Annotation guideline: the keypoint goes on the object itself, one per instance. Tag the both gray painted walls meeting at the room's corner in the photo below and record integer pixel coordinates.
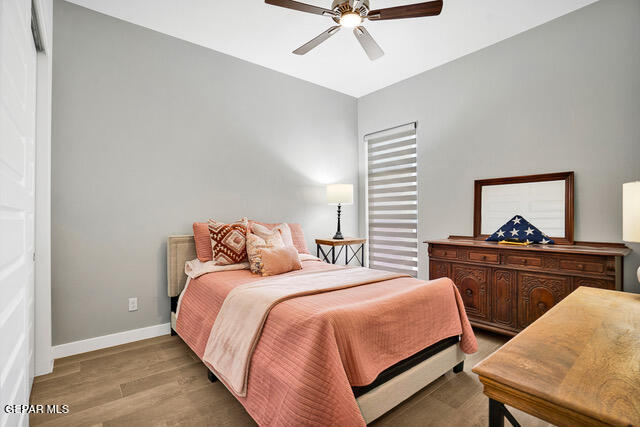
(151, 133)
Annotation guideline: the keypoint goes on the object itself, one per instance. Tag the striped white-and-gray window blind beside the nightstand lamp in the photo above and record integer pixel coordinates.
(393, 199)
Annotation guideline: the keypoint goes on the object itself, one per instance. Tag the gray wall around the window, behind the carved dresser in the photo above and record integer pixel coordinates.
(563, 96)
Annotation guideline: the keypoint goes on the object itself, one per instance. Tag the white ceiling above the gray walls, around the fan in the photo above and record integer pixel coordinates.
(266, 35)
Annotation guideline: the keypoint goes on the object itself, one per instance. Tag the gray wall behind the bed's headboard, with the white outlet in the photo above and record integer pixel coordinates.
(151, 133)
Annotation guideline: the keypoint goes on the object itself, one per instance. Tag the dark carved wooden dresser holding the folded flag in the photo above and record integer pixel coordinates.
(506, 288)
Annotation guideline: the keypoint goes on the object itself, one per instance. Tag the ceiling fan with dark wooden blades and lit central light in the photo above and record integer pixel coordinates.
(351, 14)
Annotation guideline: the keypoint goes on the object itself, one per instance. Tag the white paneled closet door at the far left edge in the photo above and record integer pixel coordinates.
(17, 155)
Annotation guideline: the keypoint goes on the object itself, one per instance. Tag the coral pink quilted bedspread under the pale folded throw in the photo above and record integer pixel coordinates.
(314, 348)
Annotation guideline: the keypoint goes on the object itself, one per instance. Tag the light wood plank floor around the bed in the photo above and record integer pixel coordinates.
(161, 382)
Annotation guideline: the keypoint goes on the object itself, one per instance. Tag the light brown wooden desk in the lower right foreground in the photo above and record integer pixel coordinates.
(579, 364)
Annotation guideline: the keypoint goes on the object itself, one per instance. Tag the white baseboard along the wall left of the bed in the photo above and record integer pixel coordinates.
(97, 343)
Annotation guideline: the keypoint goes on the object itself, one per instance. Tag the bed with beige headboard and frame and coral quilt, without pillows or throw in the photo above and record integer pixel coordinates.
(322, 376)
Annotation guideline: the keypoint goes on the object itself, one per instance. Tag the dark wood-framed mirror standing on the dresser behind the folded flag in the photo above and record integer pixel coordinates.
(546, 201)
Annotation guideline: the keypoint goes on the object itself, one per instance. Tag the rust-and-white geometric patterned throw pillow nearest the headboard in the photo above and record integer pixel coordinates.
(228, 241)
